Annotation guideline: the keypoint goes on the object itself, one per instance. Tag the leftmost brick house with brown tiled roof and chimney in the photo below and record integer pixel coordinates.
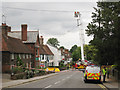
(12, 48)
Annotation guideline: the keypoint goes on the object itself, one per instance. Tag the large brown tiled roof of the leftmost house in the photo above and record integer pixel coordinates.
(14, 45)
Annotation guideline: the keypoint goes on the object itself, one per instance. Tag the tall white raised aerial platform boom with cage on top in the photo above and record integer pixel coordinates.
(79, 23)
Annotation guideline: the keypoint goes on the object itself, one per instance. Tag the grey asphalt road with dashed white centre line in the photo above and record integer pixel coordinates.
(66, 79)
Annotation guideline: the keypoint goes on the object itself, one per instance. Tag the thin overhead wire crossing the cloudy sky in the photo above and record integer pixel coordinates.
(44, 10)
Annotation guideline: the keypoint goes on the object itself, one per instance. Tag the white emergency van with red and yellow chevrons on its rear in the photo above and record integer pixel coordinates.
(92, 73)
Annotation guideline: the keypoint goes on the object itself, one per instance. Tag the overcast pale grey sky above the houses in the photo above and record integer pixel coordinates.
(52, 19)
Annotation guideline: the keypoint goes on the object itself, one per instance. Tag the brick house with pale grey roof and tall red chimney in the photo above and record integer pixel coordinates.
(31, 40)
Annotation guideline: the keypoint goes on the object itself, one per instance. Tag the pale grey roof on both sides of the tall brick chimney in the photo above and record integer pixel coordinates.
(31, 35)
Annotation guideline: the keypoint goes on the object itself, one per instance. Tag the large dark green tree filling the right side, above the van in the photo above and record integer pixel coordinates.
(105, 27)
